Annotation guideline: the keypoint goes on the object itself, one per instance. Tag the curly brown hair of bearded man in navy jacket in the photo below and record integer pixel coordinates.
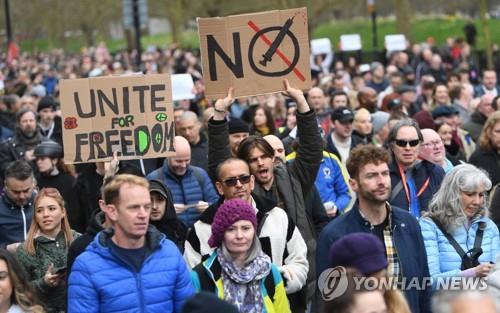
(365, 154)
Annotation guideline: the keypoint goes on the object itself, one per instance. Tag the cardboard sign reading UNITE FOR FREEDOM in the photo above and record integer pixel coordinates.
(129, 114)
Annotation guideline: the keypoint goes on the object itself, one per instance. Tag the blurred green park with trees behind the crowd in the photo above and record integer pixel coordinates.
(43, 25)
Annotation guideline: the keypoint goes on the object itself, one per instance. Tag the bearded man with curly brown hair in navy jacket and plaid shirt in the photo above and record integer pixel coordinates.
(397, 229)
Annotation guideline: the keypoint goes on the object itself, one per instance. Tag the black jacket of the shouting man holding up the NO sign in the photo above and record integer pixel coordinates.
(293, 181)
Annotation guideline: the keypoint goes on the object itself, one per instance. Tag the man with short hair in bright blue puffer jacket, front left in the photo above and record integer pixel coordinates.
(131, 267)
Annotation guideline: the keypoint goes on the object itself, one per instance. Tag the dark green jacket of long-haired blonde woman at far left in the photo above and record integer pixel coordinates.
(47, 251)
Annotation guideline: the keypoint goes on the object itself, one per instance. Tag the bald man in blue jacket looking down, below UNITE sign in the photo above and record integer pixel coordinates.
(191, 187)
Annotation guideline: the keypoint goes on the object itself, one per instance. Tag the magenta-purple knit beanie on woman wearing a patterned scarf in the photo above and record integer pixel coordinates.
(227, 214)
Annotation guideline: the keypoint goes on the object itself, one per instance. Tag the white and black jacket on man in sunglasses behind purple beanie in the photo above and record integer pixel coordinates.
(279, 237)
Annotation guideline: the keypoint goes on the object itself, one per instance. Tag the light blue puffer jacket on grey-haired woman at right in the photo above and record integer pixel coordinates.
(442, 257)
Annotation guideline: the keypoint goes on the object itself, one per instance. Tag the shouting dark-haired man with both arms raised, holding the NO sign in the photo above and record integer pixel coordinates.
(286, 184)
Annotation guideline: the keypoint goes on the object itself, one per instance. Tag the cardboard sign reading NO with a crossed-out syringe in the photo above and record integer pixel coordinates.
(253, 53)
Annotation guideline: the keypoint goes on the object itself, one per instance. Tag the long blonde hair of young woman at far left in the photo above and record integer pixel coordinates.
(53, 193)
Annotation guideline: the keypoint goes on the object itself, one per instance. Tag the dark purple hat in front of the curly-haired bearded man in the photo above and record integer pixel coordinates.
(363, 251)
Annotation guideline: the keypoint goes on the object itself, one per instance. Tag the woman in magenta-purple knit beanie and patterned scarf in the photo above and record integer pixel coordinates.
(238, 271)
